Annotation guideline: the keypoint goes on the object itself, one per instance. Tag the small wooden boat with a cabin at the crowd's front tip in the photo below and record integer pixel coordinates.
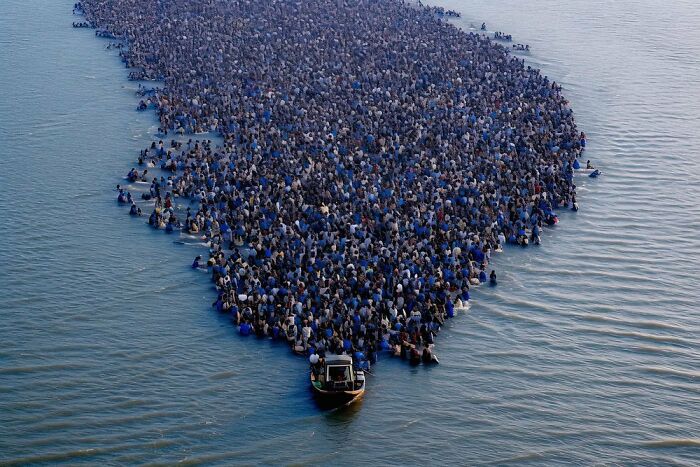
(335, 382)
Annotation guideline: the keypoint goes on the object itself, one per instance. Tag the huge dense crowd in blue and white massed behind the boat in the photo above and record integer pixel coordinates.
(373, 158)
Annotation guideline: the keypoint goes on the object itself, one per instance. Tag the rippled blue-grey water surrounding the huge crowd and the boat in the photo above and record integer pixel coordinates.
(588, 351)
